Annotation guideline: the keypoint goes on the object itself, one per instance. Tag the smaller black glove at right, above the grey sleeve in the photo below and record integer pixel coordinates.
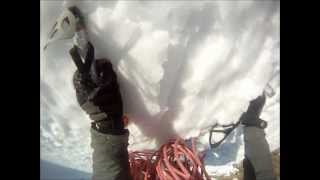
(251, 117)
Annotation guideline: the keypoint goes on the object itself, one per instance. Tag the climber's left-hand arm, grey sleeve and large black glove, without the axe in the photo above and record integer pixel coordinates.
(98, 94)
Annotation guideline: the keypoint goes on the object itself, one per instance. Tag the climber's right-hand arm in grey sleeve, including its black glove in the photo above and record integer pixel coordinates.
(257, 163)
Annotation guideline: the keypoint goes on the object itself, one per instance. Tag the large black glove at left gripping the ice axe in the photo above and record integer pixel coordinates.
(98, 93)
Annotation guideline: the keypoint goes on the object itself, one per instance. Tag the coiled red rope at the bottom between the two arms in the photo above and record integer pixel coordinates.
(173, 161)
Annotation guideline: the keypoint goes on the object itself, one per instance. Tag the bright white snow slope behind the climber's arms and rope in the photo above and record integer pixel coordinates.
(182, 66)
